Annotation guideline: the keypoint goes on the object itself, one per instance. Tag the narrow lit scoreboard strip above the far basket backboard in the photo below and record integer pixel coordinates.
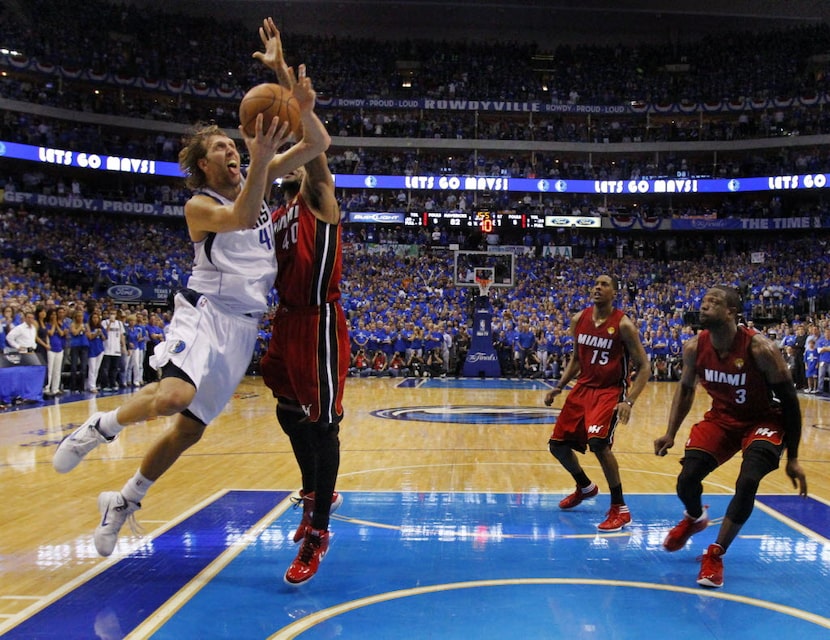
(490, 221)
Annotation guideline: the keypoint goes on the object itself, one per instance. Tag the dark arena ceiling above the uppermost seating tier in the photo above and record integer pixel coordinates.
(548, 23)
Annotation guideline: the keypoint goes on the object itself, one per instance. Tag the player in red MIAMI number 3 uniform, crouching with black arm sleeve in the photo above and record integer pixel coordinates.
(754, 409)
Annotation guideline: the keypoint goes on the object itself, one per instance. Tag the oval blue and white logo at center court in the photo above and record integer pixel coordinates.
(470, 414)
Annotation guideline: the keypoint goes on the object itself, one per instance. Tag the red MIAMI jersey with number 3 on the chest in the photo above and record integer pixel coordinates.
(737, 387)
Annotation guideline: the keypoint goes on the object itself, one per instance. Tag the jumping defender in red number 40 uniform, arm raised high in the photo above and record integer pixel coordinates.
(308, 354)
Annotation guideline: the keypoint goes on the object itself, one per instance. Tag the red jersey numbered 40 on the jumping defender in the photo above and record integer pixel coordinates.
(309, 273)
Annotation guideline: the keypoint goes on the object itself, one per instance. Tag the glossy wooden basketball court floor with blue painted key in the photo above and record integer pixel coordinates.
(449, 527)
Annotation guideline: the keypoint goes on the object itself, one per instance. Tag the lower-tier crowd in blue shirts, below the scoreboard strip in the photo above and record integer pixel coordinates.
(404, 299)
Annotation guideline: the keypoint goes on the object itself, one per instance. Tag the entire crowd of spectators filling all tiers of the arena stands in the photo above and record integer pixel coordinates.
(403, 301)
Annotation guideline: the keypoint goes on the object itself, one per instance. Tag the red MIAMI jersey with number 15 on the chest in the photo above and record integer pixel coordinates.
(603, 357)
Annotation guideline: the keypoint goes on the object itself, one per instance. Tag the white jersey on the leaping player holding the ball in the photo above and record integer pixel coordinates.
(236, 268)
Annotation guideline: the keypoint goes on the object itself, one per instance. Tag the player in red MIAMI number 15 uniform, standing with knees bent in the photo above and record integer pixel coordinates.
(605, 343)
